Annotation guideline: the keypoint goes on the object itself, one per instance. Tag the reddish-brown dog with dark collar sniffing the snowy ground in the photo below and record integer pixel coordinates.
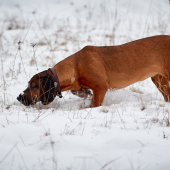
(103, 68)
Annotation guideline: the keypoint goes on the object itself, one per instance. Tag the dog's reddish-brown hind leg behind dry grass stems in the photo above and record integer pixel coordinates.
(162, 84)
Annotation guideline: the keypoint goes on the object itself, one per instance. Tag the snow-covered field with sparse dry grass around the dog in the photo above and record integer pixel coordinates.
(130, 131)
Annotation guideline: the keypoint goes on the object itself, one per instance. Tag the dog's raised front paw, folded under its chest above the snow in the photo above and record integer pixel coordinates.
(83, 92)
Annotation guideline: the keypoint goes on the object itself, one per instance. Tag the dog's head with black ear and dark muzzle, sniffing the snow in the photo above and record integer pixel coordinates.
(42, 87)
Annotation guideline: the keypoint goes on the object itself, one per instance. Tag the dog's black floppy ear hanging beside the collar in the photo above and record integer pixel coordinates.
(48, 89)
